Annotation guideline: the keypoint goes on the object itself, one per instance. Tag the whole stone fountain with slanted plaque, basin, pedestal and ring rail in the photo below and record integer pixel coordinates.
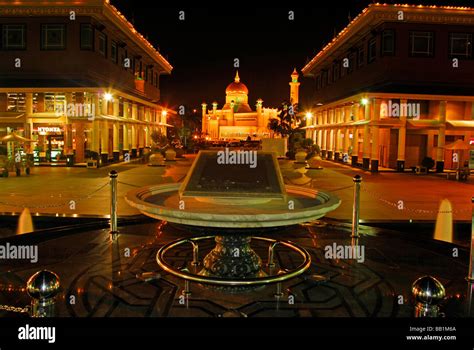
(236, 201)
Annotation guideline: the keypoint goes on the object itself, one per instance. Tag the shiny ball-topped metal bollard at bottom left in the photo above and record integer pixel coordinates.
(43, 287)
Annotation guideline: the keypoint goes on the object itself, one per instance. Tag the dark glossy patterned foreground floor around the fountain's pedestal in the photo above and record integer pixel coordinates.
(103, 281)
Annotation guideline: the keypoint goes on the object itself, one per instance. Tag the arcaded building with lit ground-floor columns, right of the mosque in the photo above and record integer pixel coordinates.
(396, 86)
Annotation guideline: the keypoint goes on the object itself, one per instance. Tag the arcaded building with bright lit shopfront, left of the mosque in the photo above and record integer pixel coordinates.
(79, 80)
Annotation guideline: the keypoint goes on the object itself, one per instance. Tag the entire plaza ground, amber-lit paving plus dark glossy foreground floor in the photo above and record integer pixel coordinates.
(103, 281)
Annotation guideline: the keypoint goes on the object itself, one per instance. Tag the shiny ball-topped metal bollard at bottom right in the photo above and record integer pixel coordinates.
(428, 293)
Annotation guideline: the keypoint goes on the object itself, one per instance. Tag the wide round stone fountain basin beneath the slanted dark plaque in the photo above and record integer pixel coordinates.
(163, 202)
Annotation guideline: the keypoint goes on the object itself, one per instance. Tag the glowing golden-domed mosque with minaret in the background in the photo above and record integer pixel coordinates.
(236, 120)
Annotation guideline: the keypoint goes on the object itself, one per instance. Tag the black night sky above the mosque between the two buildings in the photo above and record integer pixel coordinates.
(203, 47)
